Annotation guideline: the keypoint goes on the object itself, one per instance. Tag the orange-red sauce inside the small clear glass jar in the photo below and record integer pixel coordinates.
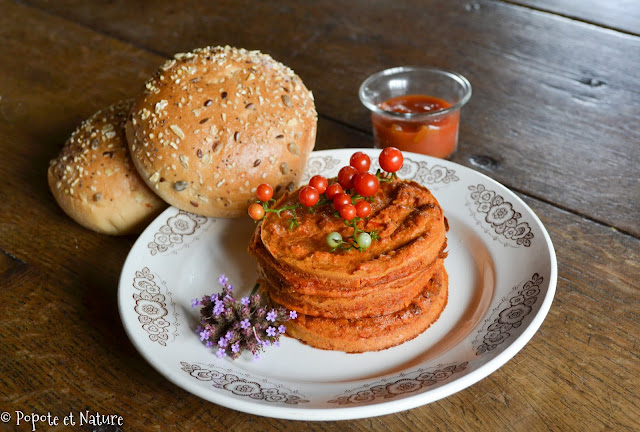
(435, 136)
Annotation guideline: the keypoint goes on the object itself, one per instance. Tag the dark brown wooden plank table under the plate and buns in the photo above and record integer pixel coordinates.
(555, 116)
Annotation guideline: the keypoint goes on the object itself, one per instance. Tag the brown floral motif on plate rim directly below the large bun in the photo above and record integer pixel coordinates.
(176, 230)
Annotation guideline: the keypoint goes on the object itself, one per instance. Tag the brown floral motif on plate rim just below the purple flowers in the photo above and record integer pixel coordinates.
(249, 387)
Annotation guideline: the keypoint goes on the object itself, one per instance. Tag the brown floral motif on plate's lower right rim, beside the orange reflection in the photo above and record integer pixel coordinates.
(512, 312)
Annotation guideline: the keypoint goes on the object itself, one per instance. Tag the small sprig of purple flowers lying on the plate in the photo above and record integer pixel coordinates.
(229, 326)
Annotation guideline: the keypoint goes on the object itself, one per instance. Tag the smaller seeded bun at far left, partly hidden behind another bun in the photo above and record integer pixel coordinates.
(94, 180)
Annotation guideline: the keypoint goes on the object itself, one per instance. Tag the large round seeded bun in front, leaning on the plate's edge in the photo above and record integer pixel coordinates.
(213, 124)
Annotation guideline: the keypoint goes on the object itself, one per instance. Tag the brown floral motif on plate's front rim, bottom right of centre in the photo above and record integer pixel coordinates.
(408, 383)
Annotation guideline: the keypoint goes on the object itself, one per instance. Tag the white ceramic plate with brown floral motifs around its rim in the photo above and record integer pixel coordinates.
(502, 279)
